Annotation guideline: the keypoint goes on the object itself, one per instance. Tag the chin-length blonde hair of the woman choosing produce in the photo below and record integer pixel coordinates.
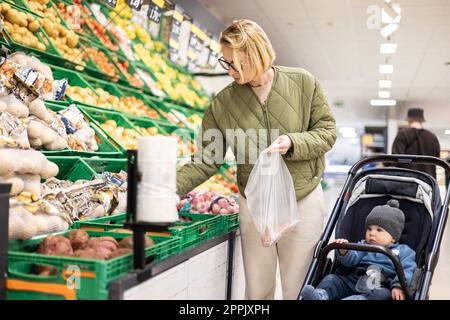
(248, 36)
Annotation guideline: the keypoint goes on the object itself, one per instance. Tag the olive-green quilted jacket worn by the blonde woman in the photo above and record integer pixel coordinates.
(296, 106)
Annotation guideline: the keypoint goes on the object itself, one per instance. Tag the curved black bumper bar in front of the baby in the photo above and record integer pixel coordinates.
(363, 247)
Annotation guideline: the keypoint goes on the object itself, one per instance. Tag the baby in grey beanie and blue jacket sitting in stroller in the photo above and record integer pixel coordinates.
(373, 275)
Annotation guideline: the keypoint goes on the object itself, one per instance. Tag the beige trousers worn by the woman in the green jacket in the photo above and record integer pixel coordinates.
(293, 251)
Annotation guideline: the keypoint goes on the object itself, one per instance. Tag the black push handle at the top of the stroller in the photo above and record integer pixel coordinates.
(401, 159)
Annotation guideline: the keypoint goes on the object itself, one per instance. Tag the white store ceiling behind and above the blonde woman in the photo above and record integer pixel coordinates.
(331, 40)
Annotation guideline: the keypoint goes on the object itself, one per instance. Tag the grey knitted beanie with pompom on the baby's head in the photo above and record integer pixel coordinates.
(389, 217)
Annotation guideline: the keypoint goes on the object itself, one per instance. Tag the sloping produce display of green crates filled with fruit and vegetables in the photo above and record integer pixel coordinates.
(80, 82)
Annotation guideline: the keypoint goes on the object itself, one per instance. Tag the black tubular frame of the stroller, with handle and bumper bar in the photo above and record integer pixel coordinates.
(320, 262)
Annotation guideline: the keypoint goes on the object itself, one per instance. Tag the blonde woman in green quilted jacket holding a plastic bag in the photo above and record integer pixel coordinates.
(290, 101)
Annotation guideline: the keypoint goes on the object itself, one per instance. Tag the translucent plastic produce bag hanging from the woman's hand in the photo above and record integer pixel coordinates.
(271, 197)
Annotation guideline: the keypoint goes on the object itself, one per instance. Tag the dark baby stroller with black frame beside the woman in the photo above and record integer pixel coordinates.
(419, 198)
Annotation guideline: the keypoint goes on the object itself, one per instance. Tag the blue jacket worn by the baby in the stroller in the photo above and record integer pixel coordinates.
(406, 255)
